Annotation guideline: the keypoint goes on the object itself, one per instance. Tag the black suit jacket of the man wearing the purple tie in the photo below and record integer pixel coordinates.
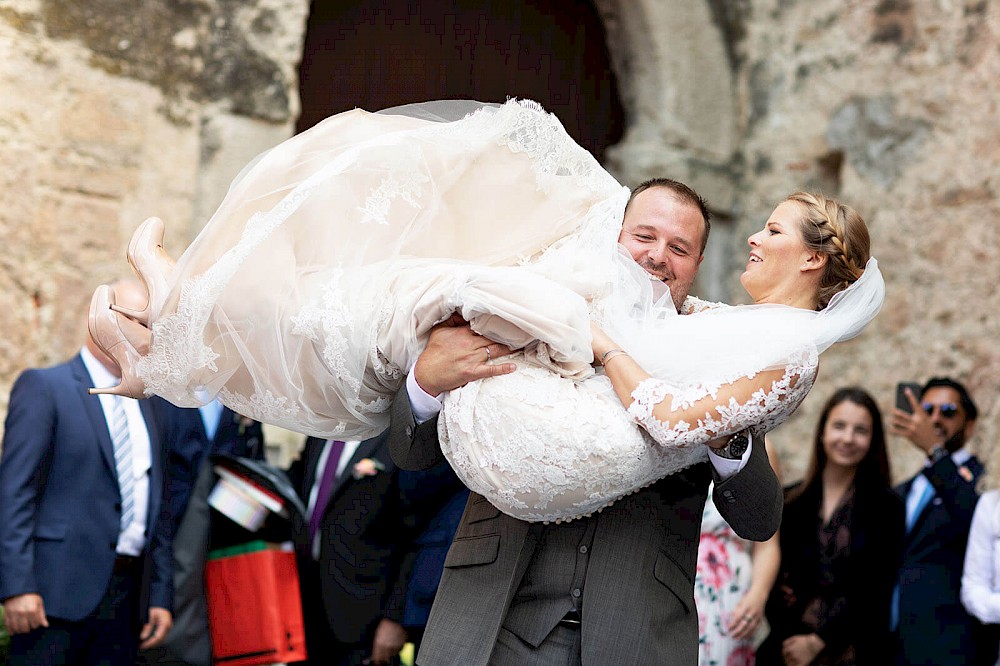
(363, 535)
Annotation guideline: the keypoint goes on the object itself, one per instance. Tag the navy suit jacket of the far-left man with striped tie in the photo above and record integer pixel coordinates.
(60, 508)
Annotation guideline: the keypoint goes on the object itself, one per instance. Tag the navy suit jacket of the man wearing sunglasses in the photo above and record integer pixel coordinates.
(934, 627)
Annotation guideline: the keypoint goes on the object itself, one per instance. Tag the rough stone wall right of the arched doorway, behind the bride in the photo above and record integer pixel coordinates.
(893, 107)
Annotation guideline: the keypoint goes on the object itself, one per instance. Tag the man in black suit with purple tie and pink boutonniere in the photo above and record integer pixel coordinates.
(351, 549)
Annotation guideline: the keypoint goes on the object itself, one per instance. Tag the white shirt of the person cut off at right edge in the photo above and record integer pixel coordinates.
(981, 574)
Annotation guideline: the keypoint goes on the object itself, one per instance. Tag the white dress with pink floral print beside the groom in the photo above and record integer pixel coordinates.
(721, 580)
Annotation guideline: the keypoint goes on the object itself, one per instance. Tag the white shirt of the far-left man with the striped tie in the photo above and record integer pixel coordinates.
(132, 539)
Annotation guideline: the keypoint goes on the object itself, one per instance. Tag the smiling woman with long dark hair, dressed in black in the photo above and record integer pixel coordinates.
(841, 536)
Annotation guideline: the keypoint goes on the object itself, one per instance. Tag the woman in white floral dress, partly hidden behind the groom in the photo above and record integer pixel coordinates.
(731, 585)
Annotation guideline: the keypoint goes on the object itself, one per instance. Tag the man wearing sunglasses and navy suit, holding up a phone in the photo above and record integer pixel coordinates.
(927, 615)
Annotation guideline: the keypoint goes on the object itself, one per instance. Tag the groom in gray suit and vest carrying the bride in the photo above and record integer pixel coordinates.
(613, 588)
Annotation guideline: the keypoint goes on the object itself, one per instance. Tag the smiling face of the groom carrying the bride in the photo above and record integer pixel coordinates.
(664, 236)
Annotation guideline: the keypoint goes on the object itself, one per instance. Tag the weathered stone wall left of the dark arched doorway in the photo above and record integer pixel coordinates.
(112, 112)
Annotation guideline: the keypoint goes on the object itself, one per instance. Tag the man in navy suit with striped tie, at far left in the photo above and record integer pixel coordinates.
(82, 552)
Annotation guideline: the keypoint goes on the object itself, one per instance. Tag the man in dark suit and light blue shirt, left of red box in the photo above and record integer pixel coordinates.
(210, 429)
